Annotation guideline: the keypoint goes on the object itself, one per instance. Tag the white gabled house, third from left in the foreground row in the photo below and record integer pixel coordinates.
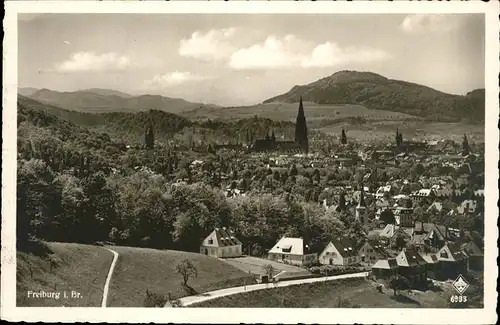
(339, 252)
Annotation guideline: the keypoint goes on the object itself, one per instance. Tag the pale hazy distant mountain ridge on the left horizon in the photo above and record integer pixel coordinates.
(96, 100)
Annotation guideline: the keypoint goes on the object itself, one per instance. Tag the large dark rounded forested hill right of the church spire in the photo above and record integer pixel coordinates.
(377, 92)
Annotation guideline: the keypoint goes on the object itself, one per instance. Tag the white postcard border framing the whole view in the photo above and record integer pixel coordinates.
(219, 315)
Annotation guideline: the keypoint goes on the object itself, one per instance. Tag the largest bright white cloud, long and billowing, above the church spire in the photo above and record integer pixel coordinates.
(292, 52)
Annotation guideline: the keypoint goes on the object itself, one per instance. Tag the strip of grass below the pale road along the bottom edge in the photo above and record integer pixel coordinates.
(327, 294)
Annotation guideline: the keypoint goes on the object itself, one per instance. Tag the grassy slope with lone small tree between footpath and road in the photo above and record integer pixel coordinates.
(141, 269)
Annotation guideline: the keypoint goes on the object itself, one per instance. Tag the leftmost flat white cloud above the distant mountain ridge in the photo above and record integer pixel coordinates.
(90, 61)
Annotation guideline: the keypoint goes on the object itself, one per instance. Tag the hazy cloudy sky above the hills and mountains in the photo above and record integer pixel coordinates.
(245, 59)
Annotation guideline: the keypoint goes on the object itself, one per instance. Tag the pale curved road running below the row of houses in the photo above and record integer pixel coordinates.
(187, 301)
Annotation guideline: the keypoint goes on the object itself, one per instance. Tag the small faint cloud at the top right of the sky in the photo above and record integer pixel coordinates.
(420, 23)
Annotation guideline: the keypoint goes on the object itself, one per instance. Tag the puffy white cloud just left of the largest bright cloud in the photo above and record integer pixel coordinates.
(213, 45)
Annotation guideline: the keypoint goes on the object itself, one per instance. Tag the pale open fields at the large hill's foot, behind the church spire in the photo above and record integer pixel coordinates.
(327, 118)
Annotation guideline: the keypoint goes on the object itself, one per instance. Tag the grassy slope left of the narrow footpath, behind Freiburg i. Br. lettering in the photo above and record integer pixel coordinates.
(81, 268)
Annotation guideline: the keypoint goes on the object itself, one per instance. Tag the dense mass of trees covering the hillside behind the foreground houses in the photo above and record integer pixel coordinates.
(75, 185)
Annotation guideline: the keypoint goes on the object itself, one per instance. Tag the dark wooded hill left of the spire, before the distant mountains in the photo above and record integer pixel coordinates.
(128, 126)
